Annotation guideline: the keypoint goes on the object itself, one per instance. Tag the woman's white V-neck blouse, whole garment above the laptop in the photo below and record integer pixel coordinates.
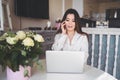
(78, 43)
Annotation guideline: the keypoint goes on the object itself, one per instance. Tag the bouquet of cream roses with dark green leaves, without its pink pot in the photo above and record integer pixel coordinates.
(19, 49)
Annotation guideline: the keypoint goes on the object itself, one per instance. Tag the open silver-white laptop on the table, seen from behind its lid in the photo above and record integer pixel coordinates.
(65, 61)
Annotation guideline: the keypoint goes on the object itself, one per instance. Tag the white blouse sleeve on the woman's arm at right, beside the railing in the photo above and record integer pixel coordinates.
(85, 47)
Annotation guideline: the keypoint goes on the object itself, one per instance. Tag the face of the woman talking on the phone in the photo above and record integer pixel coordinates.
(70, 22)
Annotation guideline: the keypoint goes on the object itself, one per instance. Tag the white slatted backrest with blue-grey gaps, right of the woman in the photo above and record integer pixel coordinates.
(104, 49)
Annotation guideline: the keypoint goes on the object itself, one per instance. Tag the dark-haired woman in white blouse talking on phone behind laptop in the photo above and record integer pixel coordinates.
(70, 36)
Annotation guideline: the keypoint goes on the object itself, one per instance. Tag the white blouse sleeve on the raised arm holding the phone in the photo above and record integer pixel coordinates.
(59, 42)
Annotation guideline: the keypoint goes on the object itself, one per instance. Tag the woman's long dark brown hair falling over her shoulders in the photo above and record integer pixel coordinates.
(77, 20)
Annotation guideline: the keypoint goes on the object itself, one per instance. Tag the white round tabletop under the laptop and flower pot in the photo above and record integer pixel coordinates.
(90, 73)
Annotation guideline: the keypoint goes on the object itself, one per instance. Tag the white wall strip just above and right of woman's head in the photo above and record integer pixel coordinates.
(78, 5)
